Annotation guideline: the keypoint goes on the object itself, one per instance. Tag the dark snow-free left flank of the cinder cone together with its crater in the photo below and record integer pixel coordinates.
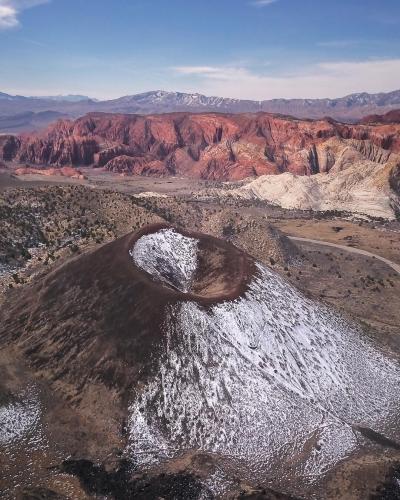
(99, 318)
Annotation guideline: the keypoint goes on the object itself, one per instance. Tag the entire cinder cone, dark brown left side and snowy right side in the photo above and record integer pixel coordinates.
(192, 346)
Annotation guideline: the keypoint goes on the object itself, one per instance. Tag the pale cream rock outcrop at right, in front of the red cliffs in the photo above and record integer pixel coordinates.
(362, 178)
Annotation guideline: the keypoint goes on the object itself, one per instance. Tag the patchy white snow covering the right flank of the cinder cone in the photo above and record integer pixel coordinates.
(273, 382)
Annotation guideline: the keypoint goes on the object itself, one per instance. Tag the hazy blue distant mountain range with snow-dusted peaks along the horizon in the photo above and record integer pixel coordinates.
(350, 108)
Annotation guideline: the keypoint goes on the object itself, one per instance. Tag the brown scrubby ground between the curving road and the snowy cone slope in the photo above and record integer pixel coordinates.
(362, 287)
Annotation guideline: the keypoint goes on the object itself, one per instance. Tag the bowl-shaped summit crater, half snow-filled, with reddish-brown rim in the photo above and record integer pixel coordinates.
(196, 266)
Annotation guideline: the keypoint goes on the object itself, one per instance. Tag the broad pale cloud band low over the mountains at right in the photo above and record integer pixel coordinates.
(325, 79)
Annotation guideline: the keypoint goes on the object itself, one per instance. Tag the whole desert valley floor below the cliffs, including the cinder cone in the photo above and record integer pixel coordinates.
(81, 258)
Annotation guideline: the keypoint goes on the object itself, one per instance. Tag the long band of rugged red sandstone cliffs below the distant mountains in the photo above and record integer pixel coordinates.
(208, 146)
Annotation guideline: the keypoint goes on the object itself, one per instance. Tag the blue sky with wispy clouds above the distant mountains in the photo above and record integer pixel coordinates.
(255, 49)
